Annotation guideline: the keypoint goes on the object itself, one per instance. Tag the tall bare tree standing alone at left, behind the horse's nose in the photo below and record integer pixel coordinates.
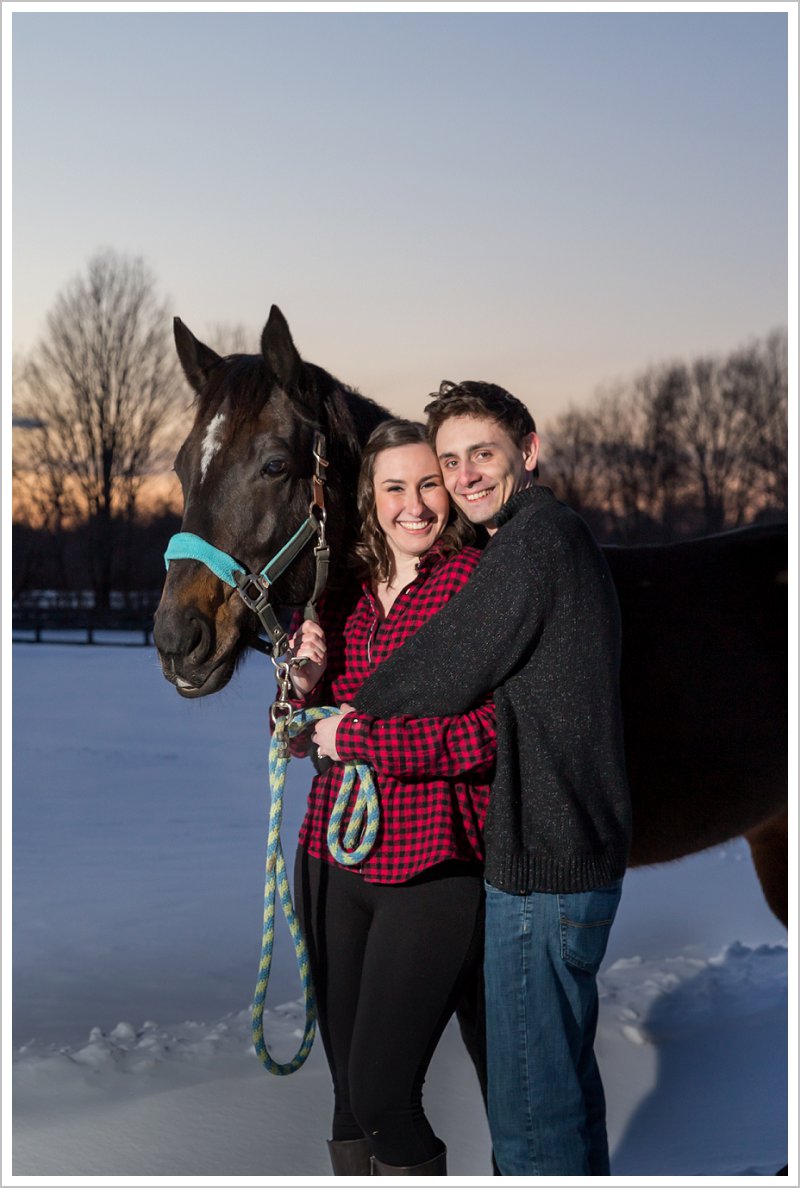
(99, 389)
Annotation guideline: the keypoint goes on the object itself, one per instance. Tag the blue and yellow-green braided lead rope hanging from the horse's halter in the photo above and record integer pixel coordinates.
(360, 838)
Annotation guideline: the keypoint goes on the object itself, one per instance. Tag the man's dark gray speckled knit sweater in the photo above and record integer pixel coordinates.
(538, 623)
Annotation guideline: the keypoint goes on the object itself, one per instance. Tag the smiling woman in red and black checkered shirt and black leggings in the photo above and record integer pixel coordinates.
(407, 918)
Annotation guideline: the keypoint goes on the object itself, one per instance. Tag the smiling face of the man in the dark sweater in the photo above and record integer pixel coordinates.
(483, 467)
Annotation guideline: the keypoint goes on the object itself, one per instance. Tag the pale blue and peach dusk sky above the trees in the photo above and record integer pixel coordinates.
(552, 201)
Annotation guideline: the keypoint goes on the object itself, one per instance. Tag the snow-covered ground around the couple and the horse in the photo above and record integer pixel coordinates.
(140, 829)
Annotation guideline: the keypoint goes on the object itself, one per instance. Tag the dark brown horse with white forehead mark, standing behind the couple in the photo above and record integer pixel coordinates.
(704, 622)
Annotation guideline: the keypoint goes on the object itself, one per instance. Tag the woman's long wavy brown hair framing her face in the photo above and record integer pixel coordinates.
(373, 549)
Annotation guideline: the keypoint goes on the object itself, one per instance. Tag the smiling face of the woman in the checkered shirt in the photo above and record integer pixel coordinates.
(412, 504)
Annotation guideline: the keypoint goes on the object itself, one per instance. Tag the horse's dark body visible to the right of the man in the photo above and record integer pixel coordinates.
(704, 690)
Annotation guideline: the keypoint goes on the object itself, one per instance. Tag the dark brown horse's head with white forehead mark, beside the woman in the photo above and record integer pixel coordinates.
(247, 473)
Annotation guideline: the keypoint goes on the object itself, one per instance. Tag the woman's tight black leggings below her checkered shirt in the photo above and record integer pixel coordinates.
(389, 964)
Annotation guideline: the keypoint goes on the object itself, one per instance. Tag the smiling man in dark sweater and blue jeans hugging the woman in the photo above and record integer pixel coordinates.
(538, 624)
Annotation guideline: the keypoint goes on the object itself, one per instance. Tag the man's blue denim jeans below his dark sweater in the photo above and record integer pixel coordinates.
(546, 1101)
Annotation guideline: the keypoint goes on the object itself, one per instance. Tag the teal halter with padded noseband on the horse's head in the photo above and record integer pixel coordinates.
(255, 587)
